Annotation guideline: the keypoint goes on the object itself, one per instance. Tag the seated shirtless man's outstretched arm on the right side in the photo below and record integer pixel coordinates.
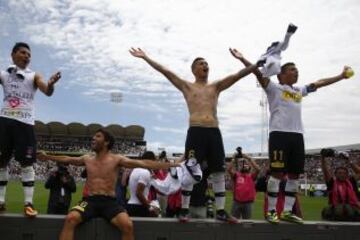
(149, 164)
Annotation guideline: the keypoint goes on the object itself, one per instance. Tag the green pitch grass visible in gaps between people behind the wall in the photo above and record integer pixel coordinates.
(311, 207)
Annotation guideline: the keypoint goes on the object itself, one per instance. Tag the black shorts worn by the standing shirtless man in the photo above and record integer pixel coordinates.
(208, 148)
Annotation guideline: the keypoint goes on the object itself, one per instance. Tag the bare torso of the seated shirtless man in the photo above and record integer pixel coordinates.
(102, 173)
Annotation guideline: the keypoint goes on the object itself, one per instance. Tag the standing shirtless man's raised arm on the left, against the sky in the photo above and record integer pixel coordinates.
(172, 77)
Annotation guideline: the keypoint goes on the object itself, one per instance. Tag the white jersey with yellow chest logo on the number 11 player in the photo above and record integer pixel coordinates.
(285, 107)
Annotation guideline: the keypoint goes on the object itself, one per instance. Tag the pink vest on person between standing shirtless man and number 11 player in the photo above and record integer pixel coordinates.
(244, 187)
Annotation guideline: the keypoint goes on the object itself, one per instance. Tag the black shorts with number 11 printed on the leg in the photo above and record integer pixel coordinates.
(286, 152)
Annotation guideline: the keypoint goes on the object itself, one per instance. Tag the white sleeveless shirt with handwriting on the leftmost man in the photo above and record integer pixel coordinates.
(19, 90)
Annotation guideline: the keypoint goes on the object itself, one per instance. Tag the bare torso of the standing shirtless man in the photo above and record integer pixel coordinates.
(202, 100)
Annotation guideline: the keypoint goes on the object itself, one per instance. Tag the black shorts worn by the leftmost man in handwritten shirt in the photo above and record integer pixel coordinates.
(17, 137)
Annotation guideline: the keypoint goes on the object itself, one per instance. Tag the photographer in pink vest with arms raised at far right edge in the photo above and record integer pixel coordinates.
(344, 204)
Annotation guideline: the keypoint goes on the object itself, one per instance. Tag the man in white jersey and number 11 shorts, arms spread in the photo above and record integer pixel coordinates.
(286, 143)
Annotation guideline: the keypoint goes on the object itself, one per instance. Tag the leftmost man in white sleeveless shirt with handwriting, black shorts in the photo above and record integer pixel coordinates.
(17, 121)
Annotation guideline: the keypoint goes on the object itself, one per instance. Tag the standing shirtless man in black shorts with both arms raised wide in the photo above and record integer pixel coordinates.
(204, 141)
